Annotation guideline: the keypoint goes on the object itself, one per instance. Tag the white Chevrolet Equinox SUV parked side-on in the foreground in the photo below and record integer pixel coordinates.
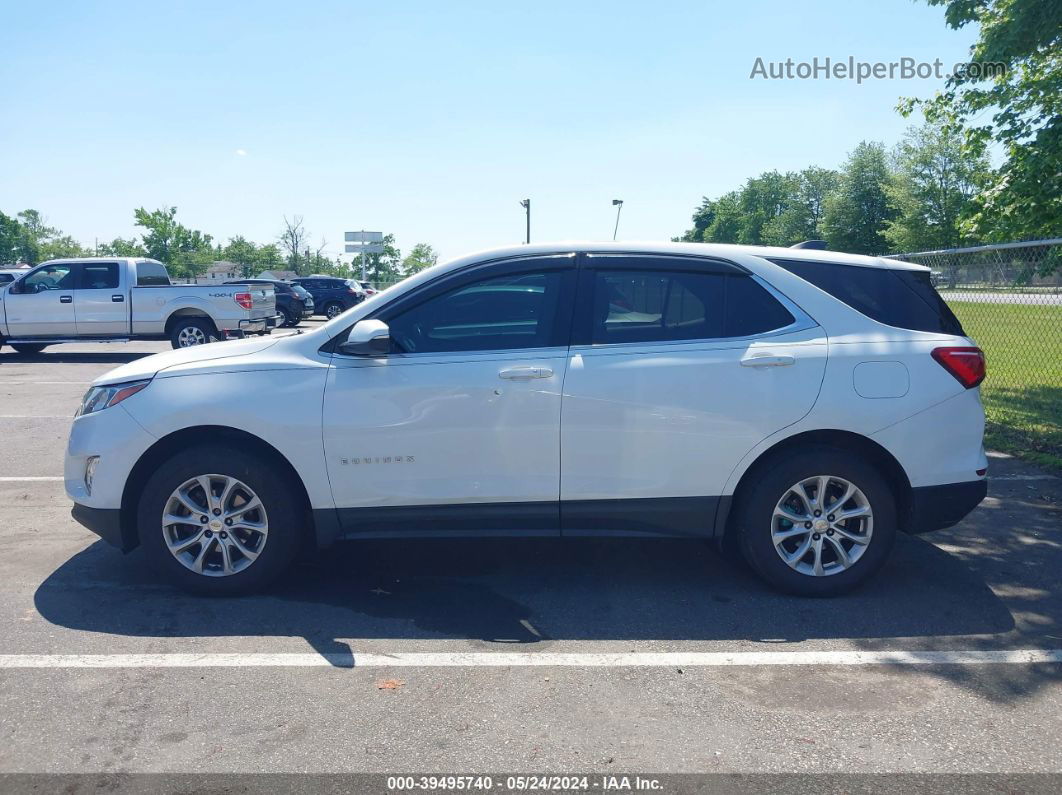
(802, 405)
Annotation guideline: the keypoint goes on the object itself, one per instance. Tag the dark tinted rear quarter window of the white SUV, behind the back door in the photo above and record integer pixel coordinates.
(896, 298)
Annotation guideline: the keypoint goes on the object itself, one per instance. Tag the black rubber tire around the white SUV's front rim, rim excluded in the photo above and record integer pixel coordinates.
(283, 514)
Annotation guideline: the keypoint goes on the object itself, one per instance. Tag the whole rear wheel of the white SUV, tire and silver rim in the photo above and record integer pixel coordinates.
(817, 523)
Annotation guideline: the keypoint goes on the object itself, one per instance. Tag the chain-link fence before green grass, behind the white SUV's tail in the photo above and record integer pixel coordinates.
(1009, 299)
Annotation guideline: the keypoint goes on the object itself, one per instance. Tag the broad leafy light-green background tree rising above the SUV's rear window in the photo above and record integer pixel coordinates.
(934, 181)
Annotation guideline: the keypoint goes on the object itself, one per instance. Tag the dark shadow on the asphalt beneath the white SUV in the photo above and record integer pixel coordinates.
(529, 592)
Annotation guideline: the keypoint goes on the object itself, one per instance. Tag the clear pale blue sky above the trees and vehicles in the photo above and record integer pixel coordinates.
(433, 120)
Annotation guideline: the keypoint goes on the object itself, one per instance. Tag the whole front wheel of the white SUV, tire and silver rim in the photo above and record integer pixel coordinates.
(219, 522)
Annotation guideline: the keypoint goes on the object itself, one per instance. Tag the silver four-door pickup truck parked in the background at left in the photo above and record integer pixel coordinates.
(113, 299)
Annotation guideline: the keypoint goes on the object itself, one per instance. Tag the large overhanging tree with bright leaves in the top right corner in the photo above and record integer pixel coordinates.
(1024, 197)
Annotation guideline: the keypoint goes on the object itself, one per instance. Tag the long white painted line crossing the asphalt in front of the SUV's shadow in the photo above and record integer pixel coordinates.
(527, 660)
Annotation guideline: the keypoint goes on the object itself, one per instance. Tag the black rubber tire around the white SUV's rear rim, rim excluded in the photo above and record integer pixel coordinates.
(772, 482)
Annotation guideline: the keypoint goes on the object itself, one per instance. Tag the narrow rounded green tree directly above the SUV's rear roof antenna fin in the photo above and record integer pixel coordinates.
(854, 217)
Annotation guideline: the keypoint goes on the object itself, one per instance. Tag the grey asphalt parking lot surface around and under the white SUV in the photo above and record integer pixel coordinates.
(598, 610)
